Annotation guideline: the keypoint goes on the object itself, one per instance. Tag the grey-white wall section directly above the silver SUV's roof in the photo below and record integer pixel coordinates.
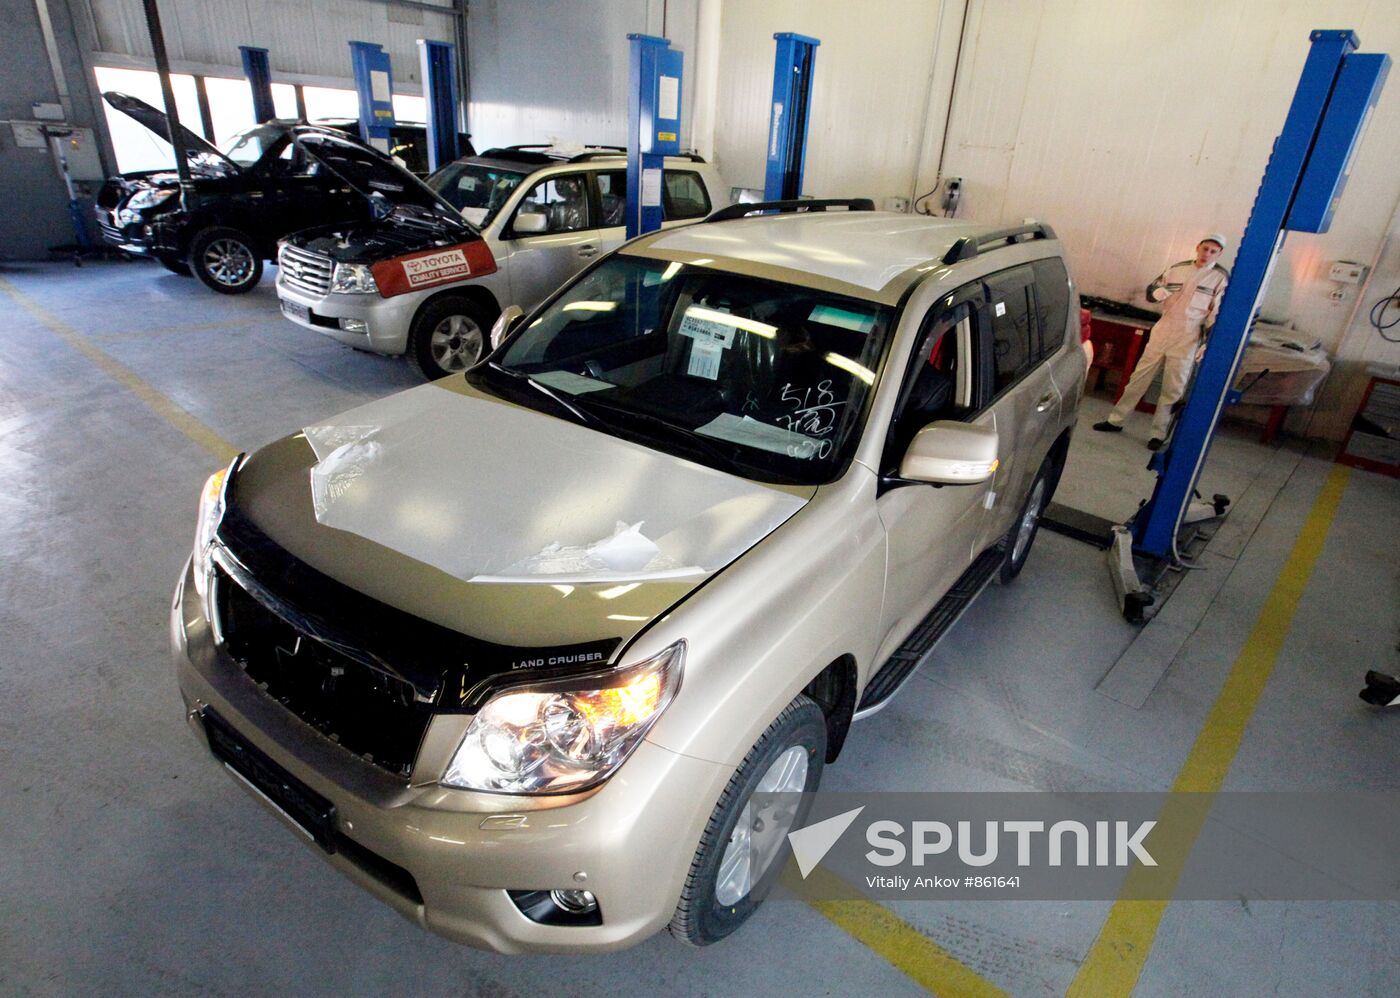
(556, 71)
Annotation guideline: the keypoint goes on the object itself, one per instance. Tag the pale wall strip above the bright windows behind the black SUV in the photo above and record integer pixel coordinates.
(307, 40)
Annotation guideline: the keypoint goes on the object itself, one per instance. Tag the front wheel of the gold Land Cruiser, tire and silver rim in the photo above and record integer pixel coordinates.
(722, 890)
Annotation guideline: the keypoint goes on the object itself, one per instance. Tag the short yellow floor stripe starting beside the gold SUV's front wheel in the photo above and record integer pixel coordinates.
(908, 950)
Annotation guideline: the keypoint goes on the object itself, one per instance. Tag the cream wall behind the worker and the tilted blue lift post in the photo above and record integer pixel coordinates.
(1137, 128)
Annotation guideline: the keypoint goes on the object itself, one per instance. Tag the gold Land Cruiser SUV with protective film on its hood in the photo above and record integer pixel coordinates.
(517, 649)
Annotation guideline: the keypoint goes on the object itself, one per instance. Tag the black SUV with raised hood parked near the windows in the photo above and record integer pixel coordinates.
(243, 198)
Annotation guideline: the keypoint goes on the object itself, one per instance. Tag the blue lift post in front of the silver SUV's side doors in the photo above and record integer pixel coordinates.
(653, 128)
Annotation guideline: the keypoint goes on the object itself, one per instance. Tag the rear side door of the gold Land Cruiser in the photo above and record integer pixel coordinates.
(1025, 398)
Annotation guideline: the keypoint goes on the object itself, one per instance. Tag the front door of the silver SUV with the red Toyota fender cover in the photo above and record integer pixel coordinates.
(541, 261)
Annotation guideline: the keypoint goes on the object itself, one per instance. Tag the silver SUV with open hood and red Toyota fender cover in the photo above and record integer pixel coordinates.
(506, 227)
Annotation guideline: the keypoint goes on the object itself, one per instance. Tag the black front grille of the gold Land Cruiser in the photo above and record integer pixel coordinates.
(367, 712)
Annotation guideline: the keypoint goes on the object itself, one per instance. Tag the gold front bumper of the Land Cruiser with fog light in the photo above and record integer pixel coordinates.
(633, 839)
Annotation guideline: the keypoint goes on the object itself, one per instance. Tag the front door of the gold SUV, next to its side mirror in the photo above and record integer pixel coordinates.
(934, 533)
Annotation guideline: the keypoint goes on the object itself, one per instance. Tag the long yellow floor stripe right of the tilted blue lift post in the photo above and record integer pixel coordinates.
(1116, 960)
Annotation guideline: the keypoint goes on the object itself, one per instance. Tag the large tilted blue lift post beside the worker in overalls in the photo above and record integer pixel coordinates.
(1298, 192)
